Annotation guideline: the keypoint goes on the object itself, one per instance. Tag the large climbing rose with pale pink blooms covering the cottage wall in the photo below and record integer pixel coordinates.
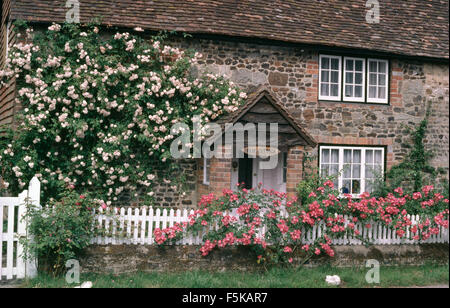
(97, 110)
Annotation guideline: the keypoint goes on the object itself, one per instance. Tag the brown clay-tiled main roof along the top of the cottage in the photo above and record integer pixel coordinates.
(407, 27)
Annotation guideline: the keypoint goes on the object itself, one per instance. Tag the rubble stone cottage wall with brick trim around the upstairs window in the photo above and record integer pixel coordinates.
(292, 74)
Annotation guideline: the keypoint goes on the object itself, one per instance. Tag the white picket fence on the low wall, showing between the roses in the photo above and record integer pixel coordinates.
(136, 226)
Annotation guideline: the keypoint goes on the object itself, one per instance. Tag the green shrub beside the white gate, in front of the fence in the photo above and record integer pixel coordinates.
(60, 230)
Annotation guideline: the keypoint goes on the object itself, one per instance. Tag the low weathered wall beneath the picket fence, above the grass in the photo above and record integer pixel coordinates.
(119, 259)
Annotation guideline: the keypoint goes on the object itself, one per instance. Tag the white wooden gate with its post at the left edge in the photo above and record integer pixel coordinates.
(12, 227)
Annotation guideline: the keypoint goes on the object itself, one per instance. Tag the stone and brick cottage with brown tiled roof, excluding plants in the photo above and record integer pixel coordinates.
(341, 89)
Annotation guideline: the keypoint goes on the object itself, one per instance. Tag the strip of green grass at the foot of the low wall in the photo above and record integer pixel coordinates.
(275, 278)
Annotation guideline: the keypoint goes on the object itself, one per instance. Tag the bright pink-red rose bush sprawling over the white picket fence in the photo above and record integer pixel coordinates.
(237, 218)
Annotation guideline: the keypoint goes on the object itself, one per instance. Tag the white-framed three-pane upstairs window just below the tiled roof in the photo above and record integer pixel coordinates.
(353, 79)
